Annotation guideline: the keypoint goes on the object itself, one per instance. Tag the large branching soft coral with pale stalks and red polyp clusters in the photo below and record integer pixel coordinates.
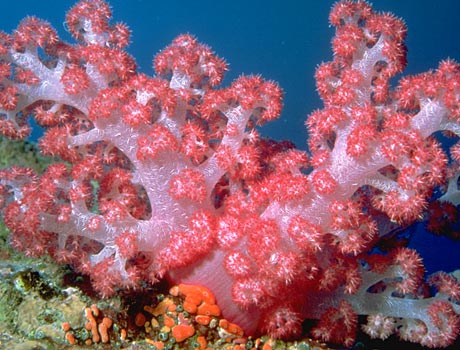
(167, 177)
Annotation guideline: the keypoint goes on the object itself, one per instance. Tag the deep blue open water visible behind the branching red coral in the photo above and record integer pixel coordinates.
(281, 40)
